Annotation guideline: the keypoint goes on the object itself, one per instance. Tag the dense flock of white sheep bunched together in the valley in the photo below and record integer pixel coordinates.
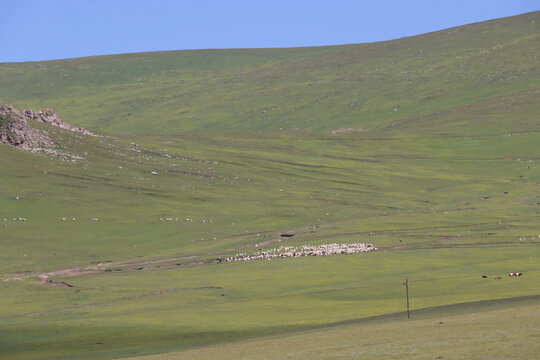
(305, 250)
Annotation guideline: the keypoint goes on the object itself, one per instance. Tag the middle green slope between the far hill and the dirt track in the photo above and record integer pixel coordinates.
(238, 192)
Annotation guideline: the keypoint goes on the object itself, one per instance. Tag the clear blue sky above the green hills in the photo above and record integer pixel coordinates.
(33, 30)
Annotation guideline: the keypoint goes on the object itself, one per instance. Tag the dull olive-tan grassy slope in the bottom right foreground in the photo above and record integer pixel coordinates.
(457, 332)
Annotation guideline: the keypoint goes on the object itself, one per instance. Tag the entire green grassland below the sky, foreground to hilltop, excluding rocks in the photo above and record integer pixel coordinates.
(443, 179)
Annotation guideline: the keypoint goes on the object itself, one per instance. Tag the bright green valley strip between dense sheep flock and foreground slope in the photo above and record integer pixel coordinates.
(126, 313)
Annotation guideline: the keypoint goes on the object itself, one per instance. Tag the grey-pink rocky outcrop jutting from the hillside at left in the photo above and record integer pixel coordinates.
(15, 130)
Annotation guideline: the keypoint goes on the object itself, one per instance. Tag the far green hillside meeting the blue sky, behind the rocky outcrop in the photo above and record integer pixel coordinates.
(360, 86)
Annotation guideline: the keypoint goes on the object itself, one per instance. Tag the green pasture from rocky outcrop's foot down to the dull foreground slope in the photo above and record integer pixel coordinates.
(442, 220)
